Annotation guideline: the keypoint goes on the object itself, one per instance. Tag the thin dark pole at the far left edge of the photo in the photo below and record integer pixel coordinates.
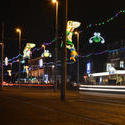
(2, 56)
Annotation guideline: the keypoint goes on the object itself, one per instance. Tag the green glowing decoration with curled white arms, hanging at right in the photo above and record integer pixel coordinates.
(96, 38)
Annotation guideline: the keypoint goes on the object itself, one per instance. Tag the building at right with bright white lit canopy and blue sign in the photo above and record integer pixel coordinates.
(114, 67)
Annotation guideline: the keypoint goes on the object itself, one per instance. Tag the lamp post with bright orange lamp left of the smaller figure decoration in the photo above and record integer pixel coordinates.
(19, 71)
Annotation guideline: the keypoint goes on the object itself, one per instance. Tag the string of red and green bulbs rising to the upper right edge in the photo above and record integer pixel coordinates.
(108, 20)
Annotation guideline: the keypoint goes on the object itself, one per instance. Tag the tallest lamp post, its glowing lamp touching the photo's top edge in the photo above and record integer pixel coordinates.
(56, 47)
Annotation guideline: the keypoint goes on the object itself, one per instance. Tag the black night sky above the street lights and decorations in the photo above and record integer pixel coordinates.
(36, 18)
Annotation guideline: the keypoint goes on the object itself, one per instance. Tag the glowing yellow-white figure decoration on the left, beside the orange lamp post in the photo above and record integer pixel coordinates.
(27, 50)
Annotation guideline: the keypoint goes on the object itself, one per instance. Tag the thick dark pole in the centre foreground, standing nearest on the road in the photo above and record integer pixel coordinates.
(64, 81)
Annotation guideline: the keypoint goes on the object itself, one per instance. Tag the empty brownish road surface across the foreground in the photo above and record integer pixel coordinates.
(32, 106)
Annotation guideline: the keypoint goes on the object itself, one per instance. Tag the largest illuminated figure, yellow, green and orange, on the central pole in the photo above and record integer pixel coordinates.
(71, 25)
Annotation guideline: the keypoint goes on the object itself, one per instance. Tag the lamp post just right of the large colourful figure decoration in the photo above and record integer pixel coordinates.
(77, 33)
